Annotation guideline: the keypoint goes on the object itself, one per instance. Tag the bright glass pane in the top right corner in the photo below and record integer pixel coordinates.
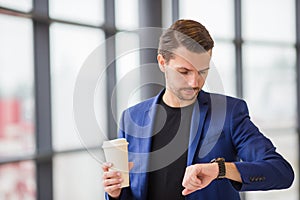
(269, 20)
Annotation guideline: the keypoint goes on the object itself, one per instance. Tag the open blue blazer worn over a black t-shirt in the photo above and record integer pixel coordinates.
(220, 127)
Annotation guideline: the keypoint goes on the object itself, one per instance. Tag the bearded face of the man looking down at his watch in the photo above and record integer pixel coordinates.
(185, 75)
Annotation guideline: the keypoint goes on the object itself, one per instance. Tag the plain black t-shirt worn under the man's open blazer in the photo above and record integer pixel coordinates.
(169, 152)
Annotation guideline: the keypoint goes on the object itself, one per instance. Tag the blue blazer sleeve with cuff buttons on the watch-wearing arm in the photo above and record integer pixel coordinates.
(261, 167)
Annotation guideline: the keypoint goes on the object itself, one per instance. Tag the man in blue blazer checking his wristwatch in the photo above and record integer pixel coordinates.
(189, 144)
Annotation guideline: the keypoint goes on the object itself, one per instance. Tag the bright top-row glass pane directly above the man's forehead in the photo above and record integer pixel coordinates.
(215, 15)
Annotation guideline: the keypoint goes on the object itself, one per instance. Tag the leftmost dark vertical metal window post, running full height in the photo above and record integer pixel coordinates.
(44, 169)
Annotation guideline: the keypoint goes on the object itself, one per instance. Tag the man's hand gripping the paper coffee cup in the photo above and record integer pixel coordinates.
(111, 181)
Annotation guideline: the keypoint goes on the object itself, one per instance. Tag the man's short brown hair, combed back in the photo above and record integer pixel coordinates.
(188, 33)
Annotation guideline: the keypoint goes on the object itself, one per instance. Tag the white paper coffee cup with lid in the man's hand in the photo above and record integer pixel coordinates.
(116, 152)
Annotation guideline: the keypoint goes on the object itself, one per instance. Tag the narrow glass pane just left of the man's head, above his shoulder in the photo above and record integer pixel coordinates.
(128, 70)
